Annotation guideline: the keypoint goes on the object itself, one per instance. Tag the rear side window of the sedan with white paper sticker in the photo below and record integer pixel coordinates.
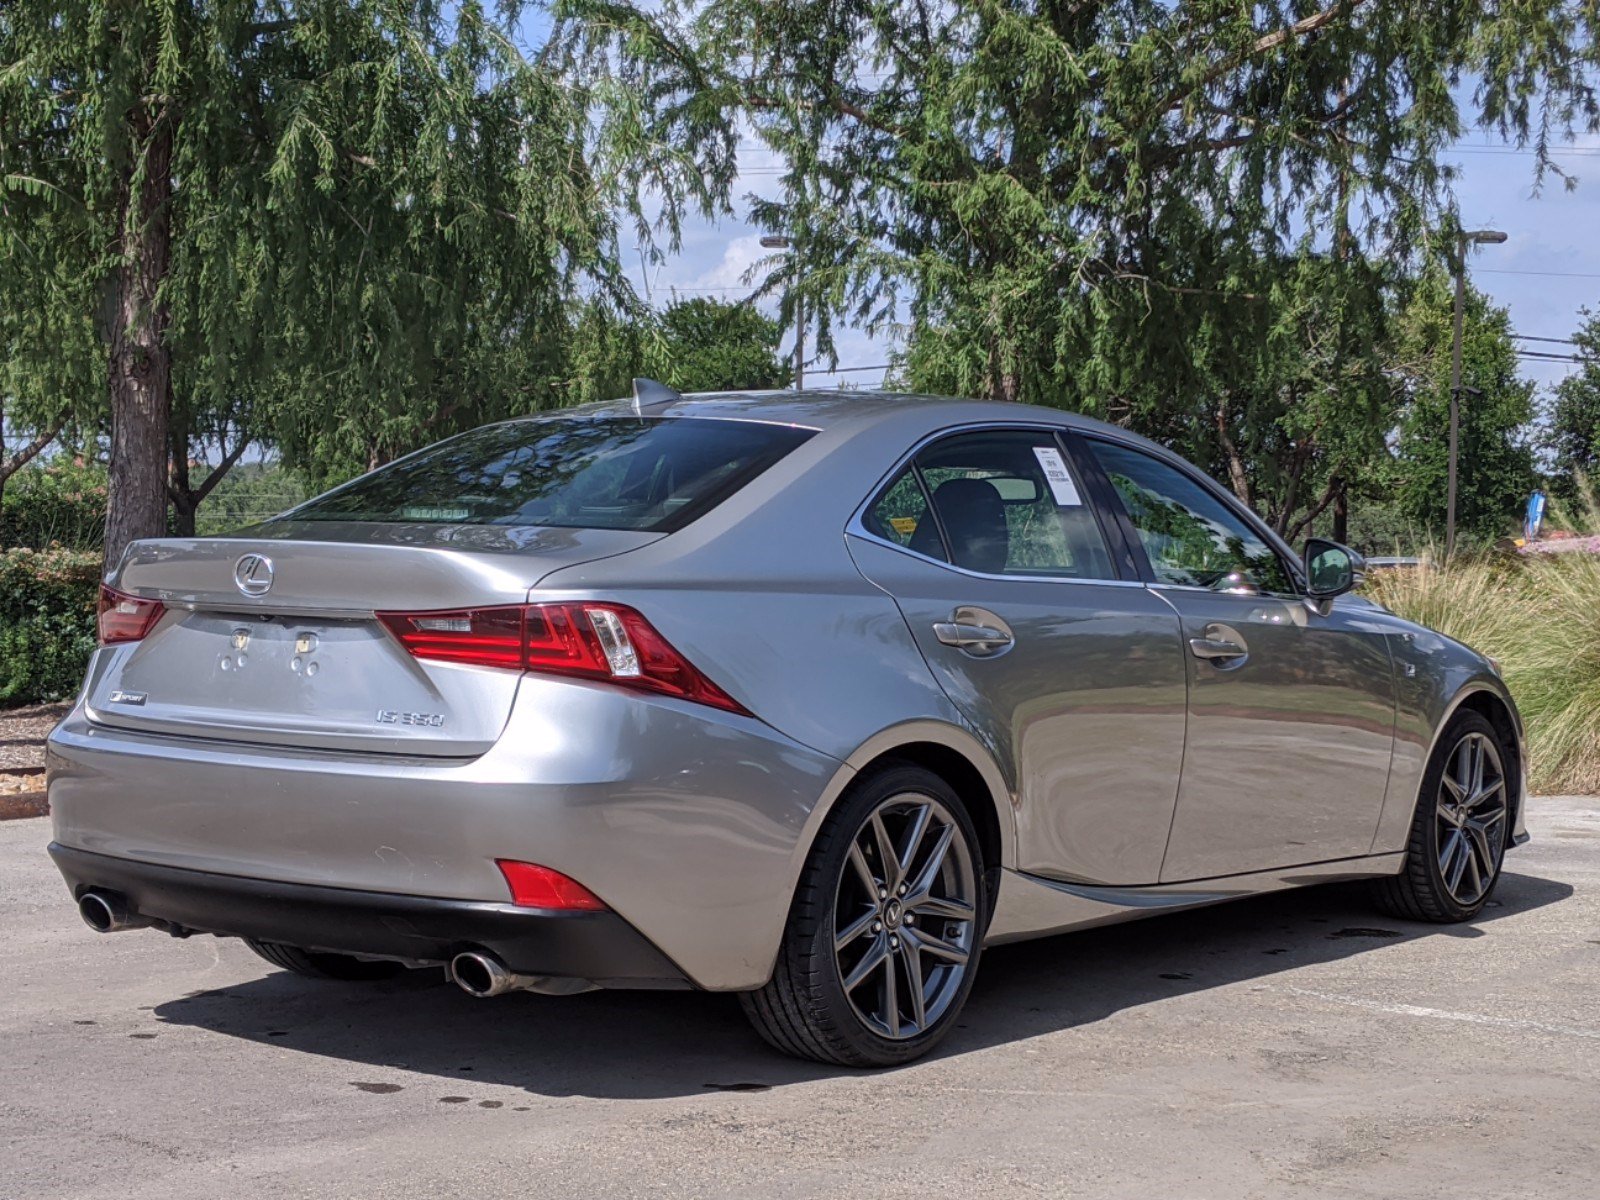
(1004, 503)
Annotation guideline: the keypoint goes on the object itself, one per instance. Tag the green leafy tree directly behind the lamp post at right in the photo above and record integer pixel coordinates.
(1497, 470)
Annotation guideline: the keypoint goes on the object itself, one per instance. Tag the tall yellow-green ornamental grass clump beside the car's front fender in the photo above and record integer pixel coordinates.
(1540, 617)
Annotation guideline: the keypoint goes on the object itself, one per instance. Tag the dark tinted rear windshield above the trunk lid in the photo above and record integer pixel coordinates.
(647, 474)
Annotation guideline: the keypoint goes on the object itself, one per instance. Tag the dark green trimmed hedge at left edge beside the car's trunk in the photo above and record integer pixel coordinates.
(47, 623)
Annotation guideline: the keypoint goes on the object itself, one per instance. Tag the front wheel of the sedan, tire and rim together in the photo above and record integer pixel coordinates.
(1460, 830)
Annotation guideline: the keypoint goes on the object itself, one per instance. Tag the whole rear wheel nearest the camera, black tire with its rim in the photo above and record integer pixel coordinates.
(929, 919)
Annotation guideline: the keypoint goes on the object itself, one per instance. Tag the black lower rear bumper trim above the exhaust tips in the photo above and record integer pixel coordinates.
(596, 946)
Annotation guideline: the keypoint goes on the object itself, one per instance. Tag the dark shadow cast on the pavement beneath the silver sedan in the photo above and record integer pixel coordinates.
(636, 1046)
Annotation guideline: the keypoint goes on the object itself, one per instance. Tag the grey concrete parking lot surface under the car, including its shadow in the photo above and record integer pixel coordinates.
(1286, 1047)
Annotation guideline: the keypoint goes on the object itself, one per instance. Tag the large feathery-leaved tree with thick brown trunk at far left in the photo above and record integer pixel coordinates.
(361, 222)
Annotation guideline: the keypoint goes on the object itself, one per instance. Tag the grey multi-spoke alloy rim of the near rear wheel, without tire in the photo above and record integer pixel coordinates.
(905, 916)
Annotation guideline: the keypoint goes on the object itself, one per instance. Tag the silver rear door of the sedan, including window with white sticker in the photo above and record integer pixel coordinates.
(1057, 657)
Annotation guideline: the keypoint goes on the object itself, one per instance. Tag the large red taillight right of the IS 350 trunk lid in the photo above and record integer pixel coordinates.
(590, 641)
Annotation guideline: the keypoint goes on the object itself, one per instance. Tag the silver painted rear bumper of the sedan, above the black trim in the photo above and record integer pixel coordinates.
(686, 822)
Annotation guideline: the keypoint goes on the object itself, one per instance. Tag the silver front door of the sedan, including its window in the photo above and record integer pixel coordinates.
(1290, 710)
